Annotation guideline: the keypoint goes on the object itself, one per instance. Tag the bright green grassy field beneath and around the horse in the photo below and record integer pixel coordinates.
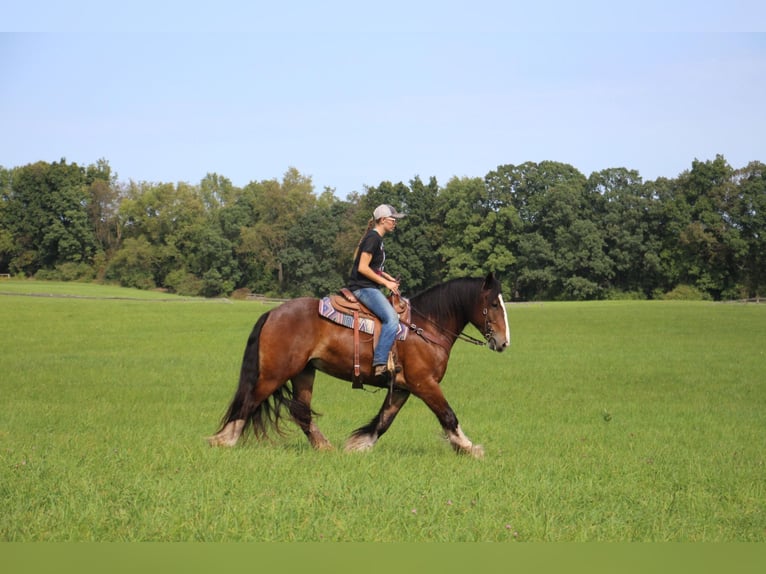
(629, 421)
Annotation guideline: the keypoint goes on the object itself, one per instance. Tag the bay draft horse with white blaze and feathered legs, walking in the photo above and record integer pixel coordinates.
(292, 341)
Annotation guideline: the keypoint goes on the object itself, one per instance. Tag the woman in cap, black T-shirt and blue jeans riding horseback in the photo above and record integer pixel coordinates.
(367, 276)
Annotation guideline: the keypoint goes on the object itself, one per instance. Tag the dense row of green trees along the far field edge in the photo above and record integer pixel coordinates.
(548, 231)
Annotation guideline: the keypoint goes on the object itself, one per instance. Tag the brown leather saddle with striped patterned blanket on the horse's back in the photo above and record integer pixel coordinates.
(345, 309)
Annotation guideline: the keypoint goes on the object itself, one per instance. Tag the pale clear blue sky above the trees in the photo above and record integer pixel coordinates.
(353, 93)
